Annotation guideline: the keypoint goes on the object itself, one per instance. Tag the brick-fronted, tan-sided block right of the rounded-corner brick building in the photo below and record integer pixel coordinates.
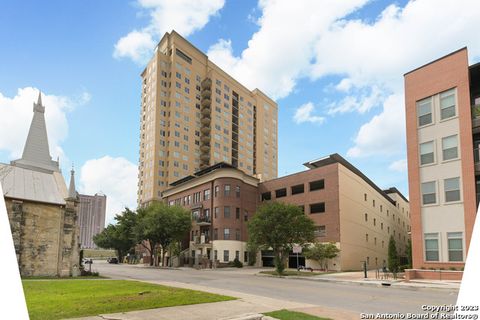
(347, 208)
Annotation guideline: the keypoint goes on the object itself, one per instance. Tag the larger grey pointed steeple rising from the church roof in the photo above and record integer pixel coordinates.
(36, 153)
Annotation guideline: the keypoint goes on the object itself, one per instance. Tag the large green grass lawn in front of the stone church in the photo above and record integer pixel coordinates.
(59, 299)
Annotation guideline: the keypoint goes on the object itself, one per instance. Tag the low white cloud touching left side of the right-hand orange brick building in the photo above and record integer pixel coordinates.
(384, 134)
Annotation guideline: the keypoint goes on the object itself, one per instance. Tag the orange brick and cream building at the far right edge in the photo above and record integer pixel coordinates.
(443, 135)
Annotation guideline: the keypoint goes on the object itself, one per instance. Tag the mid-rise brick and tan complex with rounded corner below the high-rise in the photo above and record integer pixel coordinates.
(347, 208)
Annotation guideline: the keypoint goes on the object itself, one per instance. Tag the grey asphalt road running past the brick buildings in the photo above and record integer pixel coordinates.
(351, 297)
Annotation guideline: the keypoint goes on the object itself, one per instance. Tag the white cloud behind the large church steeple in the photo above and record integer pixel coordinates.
(16, 115)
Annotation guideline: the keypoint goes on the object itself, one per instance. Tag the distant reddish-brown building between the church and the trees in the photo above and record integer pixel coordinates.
(91, 218)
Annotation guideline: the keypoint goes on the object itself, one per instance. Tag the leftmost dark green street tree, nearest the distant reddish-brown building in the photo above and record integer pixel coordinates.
(118, 236)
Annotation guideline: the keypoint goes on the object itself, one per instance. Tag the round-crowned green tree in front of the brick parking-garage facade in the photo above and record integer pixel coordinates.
(279, 226)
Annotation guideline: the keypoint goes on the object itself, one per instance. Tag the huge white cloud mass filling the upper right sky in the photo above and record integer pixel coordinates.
(370, 56)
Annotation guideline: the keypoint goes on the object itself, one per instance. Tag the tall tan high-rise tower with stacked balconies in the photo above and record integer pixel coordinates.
(194, 115)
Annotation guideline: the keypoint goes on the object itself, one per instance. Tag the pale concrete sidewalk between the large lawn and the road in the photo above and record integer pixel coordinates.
(246, 303)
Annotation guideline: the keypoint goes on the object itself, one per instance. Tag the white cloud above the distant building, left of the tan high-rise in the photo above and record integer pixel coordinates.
(116, 178)
